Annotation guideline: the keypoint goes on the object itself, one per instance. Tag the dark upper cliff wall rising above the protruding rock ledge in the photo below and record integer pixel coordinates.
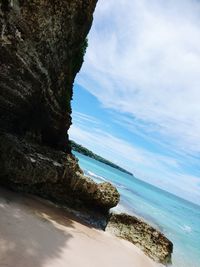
(41, 49)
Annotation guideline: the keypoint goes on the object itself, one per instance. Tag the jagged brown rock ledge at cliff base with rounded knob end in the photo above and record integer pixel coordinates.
(52, 174)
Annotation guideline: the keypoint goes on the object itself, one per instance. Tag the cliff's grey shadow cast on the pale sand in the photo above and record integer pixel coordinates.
(32, 233)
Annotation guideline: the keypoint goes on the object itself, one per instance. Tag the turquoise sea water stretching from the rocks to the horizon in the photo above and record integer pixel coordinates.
(178, 219)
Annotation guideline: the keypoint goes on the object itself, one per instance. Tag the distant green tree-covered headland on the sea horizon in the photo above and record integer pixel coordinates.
(89, 153)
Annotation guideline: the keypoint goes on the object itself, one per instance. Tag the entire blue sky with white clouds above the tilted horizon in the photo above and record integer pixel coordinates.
(136, 99)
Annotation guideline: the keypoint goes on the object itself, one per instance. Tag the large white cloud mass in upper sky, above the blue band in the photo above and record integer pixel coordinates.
(144, 60)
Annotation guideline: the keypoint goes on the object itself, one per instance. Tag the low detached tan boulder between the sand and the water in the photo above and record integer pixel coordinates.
(150, 240)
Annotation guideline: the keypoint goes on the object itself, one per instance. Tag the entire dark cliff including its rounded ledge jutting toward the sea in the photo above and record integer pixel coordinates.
(42, 45)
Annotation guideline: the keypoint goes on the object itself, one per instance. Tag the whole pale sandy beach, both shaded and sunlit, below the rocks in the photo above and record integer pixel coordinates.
(35, 233)
